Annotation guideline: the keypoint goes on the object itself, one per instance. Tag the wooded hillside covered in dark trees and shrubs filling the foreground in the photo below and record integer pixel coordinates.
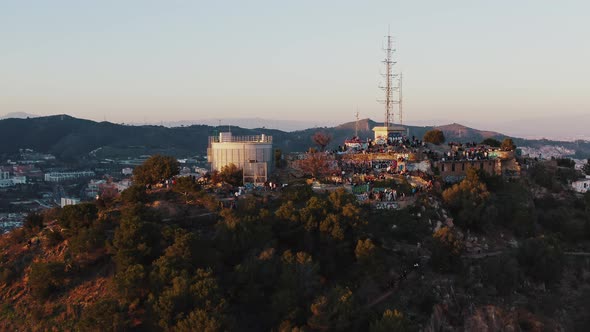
(176, 259)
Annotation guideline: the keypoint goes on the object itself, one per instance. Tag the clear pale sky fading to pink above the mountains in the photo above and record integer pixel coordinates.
(517, 66)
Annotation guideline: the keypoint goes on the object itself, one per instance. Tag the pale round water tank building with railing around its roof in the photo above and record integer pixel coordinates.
(253, 154)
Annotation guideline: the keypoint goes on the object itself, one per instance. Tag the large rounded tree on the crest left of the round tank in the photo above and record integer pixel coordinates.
(155, 169)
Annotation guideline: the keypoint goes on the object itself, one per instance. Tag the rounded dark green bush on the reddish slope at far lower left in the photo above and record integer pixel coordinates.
(46, 278)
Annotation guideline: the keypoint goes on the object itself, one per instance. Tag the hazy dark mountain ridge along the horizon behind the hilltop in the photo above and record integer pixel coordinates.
(71, 138)
